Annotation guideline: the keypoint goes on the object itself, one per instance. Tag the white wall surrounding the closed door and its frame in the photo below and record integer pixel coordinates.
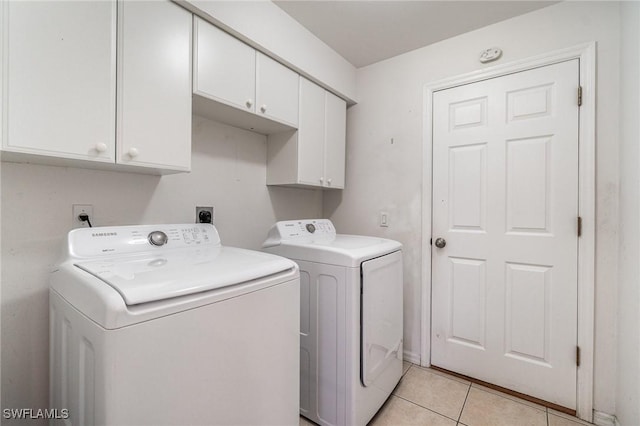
(386, 176)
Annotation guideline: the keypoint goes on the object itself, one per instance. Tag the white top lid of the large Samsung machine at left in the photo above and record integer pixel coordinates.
(152, 277)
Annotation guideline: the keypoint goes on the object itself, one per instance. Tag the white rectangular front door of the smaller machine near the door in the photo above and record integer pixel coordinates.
(381, 308)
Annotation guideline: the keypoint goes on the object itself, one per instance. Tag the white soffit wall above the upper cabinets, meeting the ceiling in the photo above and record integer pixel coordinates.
(265, 26)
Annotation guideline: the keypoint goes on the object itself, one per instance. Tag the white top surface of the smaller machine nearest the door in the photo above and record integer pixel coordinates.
(342, 250)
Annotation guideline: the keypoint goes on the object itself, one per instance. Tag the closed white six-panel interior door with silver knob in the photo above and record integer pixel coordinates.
(505, 200)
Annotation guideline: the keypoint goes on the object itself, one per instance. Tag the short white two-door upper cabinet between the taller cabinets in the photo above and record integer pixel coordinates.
(235, 84)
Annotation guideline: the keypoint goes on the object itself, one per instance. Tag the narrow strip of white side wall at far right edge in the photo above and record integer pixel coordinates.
(628, 384)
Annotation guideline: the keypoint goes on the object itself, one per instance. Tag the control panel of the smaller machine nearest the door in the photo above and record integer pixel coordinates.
(302, 230)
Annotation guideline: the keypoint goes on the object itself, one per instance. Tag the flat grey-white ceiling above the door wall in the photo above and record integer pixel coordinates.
(364, 32)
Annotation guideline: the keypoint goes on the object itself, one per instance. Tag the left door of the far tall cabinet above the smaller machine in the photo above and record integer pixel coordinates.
(311, 134)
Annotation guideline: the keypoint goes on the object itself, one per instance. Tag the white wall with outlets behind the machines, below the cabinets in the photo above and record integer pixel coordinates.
(228, 172)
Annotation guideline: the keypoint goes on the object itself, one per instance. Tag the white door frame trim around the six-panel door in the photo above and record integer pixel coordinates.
(586, 54)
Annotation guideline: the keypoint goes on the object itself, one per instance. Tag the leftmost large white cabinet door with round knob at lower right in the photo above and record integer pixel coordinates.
(59, 67)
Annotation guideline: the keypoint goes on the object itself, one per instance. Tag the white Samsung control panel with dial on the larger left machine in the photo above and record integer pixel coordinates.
(95, 242)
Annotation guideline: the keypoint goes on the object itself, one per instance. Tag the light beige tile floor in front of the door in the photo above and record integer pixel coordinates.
(429, 397)
